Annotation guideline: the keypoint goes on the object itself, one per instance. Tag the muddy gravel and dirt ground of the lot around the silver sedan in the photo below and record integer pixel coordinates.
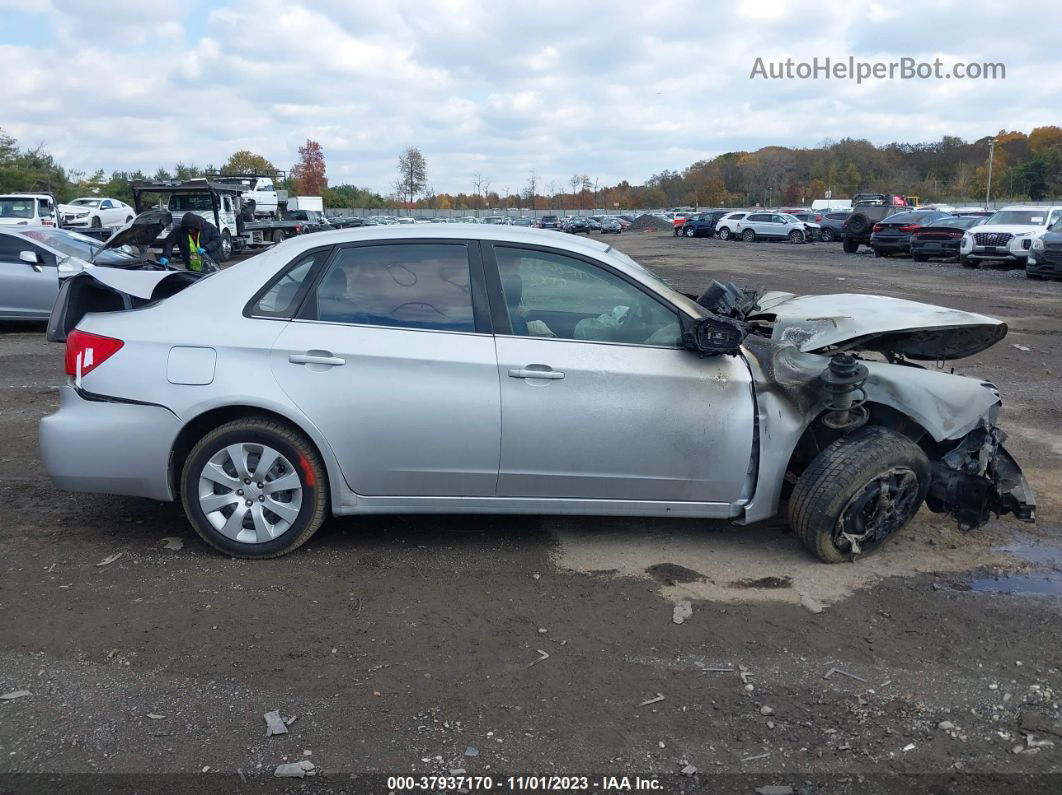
(404, 646)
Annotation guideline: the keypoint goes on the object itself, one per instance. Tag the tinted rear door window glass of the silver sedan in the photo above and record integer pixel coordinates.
(423, 286)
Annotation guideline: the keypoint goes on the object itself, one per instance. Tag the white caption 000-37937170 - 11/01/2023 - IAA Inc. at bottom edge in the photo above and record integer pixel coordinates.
(523, 784)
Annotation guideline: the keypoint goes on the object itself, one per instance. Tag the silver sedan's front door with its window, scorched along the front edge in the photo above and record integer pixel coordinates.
(599, 401)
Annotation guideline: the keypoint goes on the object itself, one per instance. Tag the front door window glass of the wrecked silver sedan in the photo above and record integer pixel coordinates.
(553, 296)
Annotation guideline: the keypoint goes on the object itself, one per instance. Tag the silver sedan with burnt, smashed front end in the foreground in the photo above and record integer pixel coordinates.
(498, 370)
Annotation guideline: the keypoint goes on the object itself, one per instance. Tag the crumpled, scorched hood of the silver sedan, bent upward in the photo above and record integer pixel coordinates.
(877, 323)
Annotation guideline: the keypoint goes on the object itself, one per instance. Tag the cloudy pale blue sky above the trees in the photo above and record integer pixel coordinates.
(618, 92)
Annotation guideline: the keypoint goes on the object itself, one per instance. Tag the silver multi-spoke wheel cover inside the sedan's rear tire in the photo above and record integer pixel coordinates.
(250, 493)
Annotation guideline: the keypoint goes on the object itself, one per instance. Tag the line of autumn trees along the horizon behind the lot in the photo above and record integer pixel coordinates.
(1024, 167)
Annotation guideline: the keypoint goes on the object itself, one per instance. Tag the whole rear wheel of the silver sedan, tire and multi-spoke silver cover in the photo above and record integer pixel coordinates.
(255, 489)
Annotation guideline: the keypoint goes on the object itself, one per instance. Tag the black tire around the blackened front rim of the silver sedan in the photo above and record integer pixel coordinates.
(842, 472)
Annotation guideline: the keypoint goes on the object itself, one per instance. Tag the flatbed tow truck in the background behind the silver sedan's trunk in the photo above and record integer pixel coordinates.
(220, 204)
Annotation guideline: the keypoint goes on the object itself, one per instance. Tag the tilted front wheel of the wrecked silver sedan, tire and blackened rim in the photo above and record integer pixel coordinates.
(858, 493)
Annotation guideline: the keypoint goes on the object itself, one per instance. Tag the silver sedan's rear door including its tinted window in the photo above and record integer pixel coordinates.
(391, 360)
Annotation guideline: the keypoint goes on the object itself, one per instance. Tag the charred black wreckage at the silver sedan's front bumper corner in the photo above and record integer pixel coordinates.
(979, 478)
